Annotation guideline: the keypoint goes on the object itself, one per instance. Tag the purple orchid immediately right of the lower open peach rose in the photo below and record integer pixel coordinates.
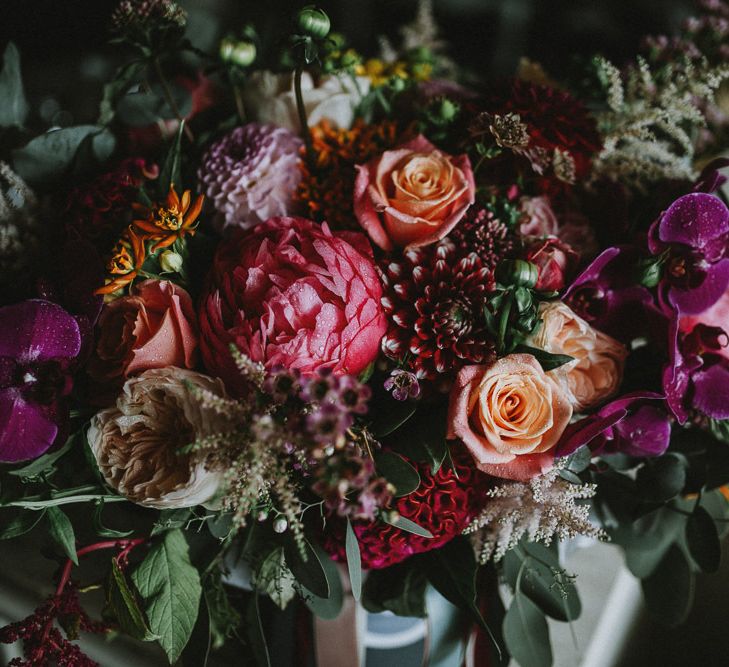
(632, 425)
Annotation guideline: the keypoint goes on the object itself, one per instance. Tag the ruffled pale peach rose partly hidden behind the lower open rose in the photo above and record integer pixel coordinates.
(597, 369)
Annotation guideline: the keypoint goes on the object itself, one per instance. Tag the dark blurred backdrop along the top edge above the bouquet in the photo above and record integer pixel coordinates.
(66, 57)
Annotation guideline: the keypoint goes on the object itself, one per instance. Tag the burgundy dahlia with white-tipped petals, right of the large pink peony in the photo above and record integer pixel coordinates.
(434, 299)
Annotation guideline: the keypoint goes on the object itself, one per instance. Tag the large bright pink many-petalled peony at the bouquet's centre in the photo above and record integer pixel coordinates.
(293, 294)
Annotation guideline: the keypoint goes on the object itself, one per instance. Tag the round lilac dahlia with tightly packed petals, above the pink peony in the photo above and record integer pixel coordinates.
(251, 174)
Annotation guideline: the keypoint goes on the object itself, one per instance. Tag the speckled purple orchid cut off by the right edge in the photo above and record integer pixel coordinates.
(694, 235)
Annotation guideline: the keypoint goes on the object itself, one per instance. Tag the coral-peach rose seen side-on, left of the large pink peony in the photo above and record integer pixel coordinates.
(154, 327)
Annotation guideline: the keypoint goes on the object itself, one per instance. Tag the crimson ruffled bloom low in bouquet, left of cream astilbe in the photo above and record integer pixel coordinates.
(444, 504)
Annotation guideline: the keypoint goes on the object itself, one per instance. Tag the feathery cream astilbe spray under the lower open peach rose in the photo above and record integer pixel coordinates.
(541, 509)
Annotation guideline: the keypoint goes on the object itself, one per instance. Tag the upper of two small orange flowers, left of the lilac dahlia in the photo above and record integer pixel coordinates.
(170, 221)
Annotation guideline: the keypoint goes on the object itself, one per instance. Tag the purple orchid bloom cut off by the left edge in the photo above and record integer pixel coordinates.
(38, 342)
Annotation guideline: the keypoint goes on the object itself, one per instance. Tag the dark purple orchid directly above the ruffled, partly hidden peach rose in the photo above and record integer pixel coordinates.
(606, 296)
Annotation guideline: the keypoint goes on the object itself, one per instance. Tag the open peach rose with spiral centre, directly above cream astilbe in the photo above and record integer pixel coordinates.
(510, 415)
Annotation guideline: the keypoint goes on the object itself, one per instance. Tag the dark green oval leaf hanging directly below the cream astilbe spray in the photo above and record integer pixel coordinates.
(543, 580)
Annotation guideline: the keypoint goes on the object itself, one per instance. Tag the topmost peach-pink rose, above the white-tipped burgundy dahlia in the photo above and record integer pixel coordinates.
(413, 195)
